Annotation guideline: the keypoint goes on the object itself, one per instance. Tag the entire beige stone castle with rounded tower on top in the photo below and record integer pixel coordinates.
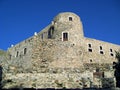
(59, 56)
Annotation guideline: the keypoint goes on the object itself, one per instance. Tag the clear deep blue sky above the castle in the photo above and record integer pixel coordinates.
(19, 19)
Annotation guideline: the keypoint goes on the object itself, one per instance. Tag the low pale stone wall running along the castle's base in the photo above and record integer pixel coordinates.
(86, 79)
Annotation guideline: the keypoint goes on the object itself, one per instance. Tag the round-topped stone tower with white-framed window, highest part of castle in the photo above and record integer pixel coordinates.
(68, 27)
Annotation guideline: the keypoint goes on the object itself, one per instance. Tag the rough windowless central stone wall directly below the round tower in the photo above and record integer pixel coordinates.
(55, 54)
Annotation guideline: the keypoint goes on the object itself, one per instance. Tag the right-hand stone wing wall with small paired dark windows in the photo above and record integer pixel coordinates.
(104, 55)
